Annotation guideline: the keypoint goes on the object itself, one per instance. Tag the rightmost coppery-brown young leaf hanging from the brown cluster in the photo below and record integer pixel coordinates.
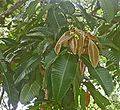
(93, 53)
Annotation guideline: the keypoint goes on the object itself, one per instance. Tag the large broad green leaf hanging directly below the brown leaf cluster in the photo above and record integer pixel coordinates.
(62, 75)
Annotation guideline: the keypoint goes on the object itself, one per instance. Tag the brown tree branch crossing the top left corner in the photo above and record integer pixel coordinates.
(12, 9)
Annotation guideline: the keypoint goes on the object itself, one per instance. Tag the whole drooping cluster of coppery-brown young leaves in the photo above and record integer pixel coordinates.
(80, 42)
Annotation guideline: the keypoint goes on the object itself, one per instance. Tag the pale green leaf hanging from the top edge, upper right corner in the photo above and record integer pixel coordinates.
(110, 8)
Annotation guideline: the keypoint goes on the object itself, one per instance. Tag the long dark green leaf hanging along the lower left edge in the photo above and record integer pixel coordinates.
(8, 82)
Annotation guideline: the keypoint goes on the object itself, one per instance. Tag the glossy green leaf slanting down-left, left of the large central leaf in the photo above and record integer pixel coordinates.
(26, 68)
